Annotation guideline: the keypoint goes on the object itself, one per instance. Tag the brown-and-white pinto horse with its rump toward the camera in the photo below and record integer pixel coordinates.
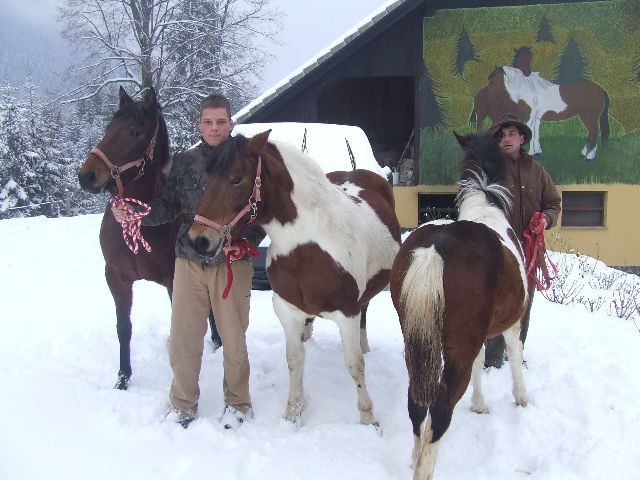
(454, 284)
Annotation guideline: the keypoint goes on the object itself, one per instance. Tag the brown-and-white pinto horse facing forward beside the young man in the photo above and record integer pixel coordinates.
(333, 240)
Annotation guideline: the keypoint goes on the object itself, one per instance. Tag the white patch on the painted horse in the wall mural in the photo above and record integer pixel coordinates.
(537, 92)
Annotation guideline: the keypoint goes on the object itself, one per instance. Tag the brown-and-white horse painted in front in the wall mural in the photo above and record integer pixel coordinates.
(550, 102)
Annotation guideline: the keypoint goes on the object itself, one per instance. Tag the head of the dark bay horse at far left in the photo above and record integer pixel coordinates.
(136, 142)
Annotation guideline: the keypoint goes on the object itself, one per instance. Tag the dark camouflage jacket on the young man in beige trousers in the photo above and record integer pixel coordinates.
(180, 198)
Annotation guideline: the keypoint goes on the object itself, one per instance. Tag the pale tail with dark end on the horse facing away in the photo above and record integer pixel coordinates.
(422, 302)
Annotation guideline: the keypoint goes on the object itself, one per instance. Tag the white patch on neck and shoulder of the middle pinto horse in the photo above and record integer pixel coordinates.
(328, 216)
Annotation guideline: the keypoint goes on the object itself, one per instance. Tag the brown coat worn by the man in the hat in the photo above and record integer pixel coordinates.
(533, 191)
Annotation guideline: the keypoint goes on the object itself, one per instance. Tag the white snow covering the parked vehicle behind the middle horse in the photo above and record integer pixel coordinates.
(324, 142)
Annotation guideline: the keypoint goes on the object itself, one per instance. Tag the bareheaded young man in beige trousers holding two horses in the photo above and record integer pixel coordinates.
(199, 281)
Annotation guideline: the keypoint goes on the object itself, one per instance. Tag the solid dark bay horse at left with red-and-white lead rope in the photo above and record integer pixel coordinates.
(131, 161)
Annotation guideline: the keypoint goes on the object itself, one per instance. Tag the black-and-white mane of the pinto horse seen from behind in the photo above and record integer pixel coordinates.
(482, 170)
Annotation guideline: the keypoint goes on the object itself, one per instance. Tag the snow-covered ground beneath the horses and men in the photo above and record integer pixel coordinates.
(60, 418)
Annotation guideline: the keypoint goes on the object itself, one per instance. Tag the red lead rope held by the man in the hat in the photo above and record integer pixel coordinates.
(535, 254)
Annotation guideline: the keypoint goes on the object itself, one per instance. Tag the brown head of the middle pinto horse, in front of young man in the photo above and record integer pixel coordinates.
(232, 197)
